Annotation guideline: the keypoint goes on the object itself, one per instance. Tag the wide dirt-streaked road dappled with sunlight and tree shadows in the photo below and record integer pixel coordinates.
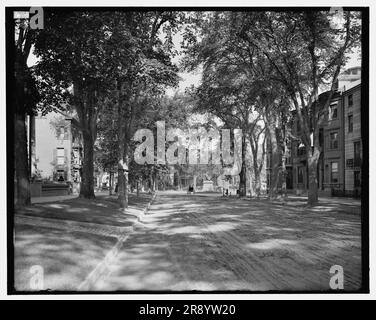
(193, 242)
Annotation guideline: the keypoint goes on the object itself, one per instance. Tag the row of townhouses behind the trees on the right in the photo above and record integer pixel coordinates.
(339, 167)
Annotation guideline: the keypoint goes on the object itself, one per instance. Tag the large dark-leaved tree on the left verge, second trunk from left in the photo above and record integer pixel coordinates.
(80, 57)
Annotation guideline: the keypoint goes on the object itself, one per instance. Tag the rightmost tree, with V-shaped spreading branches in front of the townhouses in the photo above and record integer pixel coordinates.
(307, 53)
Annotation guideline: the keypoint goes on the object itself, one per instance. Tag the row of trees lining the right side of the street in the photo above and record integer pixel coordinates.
(262, 70)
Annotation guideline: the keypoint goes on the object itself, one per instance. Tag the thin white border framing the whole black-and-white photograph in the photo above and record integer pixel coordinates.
(200, 3)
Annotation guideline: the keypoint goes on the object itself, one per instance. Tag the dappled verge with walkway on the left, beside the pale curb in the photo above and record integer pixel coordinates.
(70, 237)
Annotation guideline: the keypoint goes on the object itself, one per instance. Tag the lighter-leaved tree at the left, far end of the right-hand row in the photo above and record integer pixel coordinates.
(229, 87)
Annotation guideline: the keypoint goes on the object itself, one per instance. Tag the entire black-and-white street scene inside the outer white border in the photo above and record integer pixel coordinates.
(187, 151)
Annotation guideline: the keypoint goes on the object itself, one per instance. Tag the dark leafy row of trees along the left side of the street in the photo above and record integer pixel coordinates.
(106, 68)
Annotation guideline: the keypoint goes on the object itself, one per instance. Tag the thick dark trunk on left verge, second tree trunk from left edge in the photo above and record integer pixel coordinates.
(87, 183)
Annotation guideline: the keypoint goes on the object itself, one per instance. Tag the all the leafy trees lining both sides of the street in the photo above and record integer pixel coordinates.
(110, 69)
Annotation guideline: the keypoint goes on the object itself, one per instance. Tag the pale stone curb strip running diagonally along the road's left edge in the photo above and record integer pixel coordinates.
(102, 267)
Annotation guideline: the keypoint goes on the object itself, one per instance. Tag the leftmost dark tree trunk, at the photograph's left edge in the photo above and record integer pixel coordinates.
(21, 160)
